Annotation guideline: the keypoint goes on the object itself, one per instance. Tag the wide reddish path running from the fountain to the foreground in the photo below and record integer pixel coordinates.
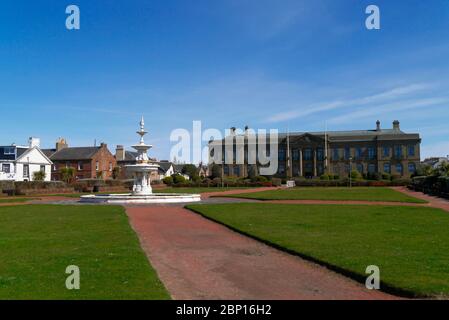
(198, 259)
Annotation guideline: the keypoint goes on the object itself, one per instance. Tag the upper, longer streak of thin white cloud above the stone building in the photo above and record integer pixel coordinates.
(391, 94)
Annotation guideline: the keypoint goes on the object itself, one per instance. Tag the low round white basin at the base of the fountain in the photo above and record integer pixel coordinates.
(141, 199)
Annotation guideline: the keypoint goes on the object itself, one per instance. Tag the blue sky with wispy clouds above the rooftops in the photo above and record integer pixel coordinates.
(263, 63)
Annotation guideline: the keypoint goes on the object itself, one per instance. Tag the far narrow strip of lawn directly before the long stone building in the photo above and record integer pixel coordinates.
(332, 193)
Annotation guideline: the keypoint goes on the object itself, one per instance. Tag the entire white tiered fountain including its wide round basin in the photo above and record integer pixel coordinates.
(142, 191)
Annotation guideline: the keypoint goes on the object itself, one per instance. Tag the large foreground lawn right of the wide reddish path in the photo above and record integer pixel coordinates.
(409, 244)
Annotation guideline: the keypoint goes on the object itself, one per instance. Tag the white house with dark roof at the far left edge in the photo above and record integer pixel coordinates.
(19, 163)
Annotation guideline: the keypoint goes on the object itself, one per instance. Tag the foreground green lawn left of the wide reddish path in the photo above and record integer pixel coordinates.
(38, 242)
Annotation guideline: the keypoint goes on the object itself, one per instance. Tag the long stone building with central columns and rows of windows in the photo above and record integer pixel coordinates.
(312, 154)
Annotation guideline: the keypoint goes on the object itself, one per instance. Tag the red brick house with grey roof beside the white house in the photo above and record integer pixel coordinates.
(89, 162)
